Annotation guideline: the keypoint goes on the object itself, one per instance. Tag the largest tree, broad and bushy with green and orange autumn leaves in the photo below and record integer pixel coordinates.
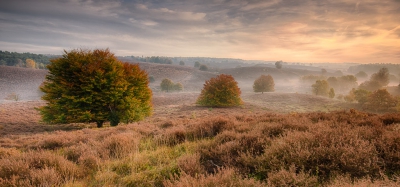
(94, 86)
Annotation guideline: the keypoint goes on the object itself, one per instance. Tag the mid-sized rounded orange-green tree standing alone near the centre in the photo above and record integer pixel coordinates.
(221, 91)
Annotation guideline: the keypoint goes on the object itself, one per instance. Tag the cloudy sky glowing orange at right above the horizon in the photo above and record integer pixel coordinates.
(365, 31)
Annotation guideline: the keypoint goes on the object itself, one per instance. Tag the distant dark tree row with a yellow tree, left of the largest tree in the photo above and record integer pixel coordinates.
(29, 60)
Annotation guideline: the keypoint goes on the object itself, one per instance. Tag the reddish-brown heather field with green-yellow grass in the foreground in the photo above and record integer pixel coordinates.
(274, 139)
